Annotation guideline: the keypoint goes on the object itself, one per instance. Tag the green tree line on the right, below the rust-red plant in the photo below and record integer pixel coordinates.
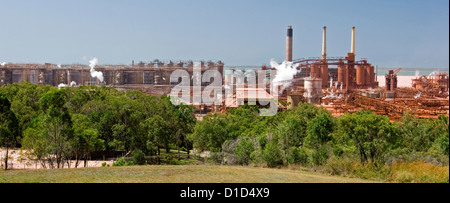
(308, 135)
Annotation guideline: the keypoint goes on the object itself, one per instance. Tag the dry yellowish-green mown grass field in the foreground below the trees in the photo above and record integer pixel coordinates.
(170, 174)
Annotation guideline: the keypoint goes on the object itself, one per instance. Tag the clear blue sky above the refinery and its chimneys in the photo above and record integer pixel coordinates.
(389, 33)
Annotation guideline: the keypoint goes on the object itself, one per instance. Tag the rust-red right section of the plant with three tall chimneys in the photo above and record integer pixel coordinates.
(353, 86)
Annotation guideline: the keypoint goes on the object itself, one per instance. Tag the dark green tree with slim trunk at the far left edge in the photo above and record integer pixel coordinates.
(9, 126)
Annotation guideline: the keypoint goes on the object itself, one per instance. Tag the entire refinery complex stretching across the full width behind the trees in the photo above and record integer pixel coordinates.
(340, 84)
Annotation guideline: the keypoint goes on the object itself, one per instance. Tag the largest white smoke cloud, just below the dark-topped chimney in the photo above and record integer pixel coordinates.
(285, 72)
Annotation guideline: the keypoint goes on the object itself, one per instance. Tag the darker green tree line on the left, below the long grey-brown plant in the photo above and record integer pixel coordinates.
(59, 125)
